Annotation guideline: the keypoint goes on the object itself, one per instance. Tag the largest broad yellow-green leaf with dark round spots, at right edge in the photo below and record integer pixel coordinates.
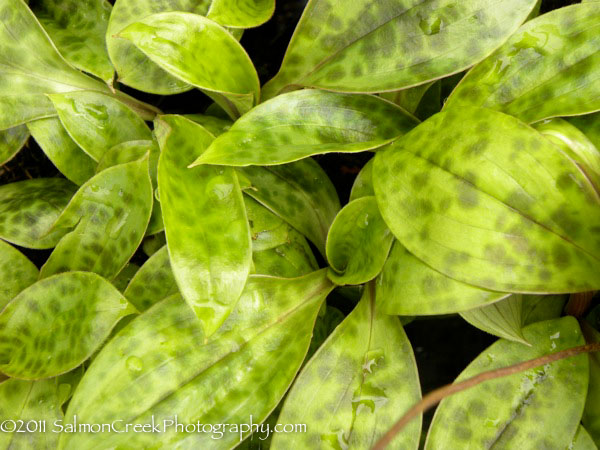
(500, 208)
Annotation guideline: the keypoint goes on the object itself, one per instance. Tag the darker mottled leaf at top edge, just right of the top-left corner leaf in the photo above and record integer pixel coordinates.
(78, 29)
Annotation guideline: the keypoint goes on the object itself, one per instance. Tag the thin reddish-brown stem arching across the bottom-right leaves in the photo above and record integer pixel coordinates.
(436, 396)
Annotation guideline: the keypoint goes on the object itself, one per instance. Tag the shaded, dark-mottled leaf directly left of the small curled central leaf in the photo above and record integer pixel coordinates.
(300, 193)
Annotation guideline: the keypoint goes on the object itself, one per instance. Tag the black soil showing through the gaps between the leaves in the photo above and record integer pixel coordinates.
(444, 345)
